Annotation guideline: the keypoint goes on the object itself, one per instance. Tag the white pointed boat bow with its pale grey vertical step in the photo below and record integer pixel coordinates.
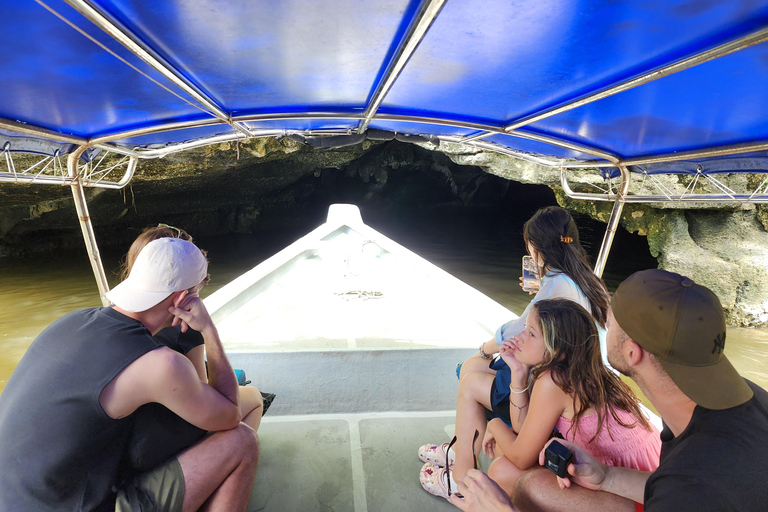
(345, 320)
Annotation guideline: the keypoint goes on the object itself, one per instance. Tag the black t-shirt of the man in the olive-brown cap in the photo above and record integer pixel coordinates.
(720, 461)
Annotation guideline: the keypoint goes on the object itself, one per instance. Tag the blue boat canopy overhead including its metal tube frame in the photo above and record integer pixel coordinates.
(637, 88)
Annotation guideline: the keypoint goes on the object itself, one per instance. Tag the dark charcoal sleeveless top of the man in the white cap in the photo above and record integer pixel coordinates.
(58, 448)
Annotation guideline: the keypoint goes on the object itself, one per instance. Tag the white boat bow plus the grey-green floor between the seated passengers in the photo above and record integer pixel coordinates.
(358, 338)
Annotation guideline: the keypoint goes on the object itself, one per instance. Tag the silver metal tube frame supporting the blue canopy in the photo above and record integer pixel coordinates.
(80, 174)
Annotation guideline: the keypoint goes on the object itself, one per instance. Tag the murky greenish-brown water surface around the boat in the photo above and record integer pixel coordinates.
(482, 250)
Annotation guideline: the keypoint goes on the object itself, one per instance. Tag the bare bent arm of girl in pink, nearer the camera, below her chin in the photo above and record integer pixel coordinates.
(546, 405)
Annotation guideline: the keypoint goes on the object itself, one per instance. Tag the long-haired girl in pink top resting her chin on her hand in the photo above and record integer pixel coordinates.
(559, 380)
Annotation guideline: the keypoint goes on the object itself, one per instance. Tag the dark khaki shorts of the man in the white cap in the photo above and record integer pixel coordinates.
(158, 490)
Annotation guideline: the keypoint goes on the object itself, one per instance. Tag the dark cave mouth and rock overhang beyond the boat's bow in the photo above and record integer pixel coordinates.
(229, 188)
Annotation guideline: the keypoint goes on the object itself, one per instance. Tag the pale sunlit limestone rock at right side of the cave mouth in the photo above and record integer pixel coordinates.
(723, 247)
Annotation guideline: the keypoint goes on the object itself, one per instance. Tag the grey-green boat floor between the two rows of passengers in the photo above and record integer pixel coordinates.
(364, 462)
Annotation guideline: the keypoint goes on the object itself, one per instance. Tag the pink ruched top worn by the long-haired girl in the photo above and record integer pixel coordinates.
(616, 445)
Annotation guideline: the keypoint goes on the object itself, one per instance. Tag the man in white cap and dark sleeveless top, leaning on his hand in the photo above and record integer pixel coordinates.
(66, 412)
